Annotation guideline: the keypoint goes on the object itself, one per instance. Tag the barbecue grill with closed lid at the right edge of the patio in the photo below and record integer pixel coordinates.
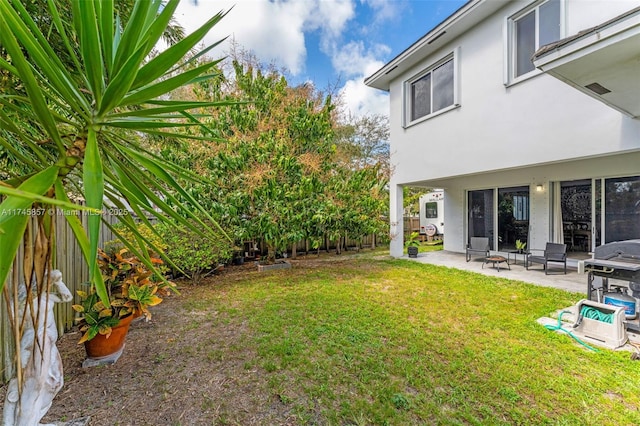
(618, 265)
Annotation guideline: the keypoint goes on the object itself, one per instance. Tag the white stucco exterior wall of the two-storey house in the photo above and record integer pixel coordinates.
(536, 131)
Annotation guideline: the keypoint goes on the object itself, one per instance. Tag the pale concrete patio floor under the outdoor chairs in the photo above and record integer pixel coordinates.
(572, 282)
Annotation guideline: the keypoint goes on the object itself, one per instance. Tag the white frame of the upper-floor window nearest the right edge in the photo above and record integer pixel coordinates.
(510, 41)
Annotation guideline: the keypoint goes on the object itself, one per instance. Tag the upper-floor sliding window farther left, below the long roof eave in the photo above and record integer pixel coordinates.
(432, 91)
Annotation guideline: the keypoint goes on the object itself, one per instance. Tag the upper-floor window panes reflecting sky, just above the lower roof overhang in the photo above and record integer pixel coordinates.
(531, 30)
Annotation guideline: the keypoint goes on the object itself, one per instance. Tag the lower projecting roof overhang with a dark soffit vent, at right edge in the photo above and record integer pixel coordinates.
(602, 62)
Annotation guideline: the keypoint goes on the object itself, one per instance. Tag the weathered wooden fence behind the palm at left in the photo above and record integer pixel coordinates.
(70, 261)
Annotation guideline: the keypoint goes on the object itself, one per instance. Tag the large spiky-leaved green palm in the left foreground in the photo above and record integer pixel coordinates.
(77, 128)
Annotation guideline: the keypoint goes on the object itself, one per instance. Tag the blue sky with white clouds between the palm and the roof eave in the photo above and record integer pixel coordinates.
(328, 42)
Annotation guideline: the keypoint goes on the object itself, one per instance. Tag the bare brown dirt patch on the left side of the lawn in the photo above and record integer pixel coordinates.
(187, 366)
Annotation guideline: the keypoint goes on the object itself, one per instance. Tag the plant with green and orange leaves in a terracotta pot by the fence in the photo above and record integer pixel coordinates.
(132, 288)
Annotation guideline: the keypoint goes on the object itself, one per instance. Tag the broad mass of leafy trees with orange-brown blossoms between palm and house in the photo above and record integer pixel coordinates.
(286, 171)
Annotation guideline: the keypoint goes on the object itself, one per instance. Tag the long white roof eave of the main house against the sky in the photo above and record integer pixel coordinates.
(470, 14)
